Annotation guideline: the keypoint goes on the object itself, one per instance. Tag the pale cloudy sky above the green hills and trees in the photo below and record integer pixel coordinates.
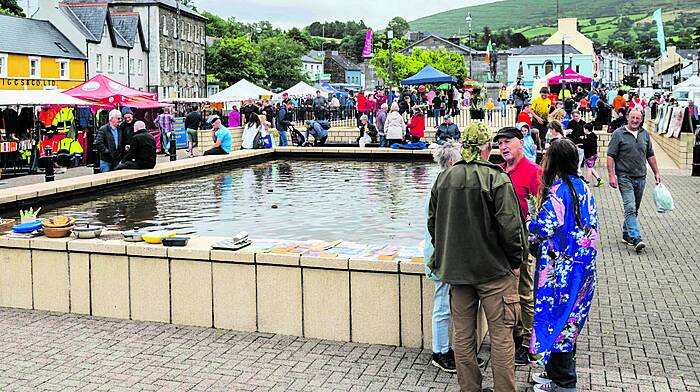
(299, 13)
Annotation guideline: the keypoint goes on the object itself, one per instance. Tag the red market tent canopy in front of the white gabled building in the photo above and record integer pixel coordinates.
(103, 90)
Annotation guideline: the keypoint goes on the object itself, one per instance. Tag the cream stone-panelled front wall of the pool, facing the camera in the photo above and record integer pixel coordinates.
(358, 300)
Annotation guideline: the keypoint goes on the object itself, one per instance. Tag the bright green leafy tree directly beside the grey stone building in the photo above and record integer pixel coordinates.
(233, 59)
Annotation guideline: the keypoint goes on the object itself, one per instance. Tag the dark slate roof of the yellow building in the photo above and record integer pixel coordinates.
(35, 37)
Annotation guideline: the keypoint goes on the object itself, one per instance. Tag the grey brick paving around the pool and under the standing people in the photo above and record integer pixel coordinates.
(643, 333)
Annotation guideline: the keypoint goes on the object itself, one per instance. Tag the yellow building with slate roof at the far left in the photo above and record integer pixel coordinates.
(34, 55)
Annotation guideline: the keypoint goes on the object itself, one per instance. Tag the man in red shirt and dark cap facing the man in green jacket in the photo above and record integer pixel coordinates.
(526, 178)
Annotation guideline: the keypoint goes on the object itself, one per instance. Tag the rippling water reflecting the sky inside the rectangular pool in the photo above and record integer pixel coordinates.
(371, 202)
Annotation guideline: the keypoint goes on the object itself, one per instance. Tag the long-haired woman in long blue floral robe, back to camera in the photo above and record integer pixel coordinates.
(566, 228)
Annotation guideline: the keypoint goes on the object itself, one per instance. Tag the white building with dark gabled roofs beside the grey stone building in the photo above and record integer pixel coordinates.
(114, 42)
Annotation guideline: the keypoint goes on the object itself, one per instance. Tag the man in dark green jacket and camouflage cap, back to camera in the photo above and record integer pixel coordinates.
(480, 243)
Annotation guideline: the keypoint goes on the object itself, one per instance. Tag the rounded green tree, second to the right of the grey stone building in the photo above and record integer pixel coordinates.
(281, 57)
